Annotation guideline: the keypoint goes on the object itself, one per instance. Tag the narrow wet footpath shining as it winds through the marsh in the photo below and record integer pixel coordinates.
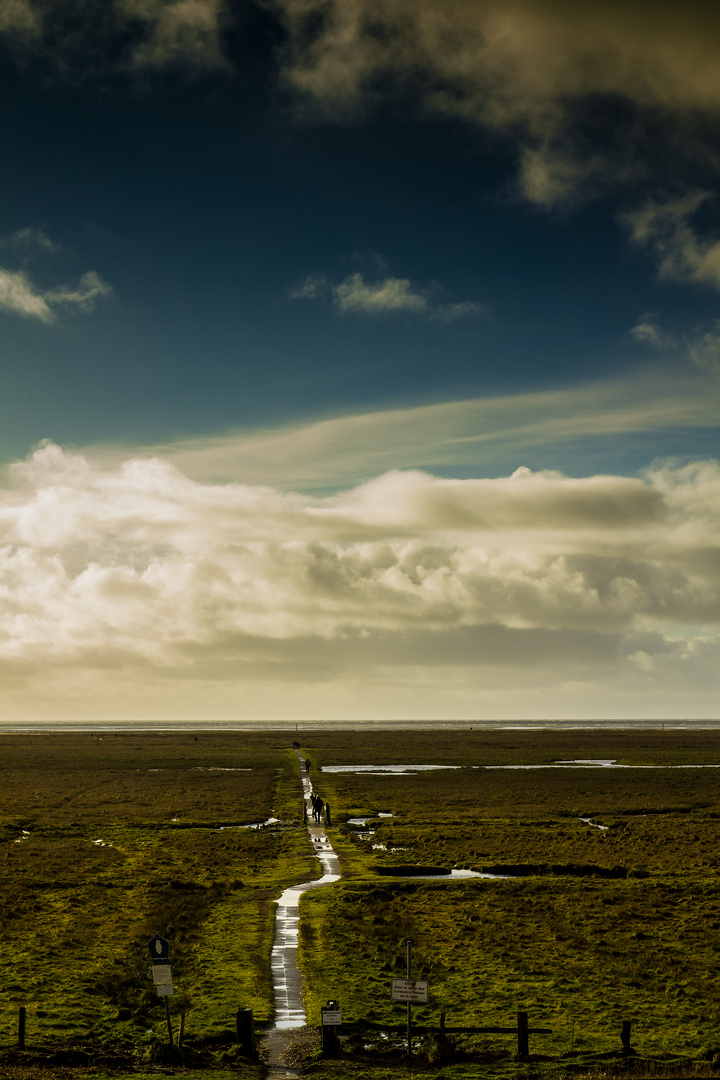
(287, 975)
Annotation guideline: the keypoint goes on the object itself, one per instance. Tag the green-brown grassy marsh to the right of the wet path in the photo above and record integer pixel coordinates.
(601, 926)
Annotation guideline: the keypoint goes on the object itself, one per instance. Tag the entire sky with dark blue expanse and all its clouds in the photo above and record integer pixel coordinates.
(280, 251)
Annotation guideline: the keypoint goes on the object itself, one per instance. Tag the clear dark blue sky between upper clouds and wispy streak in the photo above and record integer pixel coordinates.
(203, 200)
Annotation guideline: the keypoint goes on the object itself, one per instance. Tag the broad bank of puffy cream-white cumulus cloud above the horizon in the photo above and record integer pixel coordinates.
(140, 571)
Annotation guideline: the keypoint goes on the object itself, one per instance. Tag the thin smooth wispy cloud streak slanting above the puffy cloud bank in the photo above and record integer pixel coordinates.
(476, 435)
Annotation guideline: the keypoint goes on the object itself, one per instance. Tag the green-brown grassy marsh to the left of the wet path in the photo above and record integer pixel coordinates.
(104, 843)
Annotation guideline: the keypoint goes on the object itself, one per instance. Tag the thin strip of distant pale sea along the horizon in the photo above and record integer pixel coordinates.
(31, 727)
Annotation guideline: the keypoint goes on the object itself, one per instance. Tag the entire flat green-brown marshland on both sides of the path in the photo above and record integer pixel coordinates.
(107, 841)
